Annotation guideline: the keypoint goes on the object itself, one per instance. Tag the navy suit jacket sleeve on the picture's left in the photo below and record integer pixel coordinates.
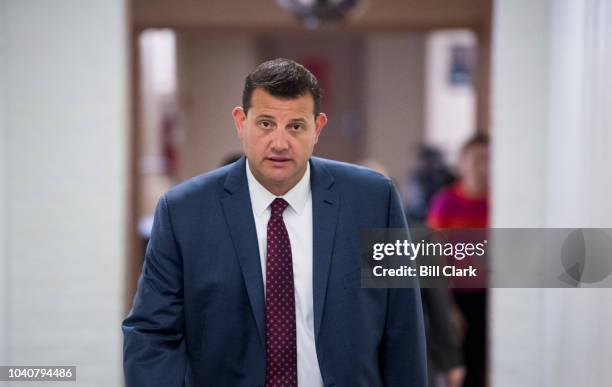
(154, 349)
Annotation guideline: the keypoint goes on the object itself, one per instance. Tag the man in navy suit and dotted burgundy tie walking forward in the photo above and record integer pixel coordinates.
(252, 273)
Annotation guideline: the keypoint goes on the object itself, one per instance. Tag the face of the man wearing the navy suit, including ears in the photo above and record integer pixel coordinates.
(278, 137)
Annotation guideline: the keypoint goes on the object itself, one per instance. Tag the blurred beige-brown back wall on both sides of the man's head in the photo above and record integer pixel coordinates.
(375, 110)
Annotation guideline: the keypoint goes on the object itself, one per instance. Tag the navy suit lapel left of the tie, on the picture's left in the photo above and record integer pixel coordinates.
(239, 217)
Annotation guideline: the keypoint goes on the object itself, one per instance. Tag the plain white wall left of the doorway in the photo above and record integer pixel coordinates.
(64, 130)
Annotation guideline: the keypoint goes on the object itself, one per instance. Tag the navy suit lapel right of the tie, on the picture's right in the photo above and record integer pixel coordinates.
(325, 206)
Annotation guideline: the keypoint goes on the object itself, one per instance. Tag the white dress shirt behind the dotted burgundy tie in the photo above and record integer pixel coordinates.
(298, 220)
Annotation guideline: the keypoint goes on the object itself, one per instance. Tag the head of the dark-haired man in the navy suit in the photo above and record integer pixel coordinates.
(279, 122)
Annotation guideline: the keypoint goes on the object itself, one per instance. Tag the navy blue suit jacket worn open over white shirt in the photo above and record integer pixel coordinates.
(198, 316)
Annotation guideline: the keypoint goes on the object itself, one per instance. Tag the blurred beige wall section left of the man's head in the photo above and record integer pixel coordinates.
(211, 70)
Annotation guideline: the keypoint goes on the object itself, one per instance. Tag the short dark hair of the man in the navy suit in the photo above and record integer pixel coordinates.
(282, 78)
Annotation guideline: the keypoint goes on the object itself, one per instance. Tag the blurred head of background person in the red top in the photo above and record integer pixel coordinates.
(474, 164)
